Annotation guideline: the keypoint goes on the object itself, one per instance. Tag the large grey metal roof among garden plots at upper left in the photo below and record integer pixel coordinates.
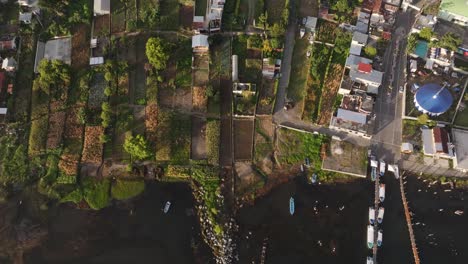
(54, 49)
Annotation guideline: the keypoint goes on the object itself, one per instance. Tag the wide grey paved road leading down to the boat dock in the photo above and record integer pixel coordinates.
(386, 141)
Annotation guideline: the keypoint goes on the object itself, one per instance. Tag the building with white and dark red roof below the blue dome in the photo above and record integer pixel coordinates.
(436, 142)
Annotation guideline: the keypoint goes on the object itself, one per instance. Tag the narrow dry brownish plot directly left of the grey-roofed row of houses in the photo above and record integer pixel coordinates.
(329, 93)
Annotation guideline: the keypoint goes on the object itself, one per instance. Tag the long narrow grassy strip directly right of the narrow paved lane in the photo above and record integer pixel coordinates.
(299, 69)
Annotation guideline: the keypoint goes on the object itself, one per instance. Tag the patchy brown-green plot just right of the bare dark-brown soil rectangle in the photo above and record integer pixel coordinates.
(263, 148)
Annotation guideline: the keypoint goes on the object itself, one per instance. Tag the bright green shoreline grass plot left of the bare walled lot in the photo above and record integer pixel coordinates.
(295, 146)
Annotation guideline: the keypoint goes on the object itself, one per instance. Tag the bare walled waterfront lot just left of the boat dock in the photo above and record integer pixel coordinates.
(345, 157)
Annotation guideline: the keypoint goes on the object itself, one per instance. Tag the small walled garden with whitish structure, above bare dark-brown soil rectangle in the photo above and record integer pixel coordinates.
(245, 97)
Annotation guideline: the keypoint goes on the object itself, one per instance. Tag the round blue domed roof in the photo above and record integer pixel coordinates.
(433, 99)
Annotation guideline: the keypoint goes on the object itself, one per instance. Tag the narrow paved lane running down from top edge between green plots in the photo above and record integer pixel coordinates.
(287, 58)
